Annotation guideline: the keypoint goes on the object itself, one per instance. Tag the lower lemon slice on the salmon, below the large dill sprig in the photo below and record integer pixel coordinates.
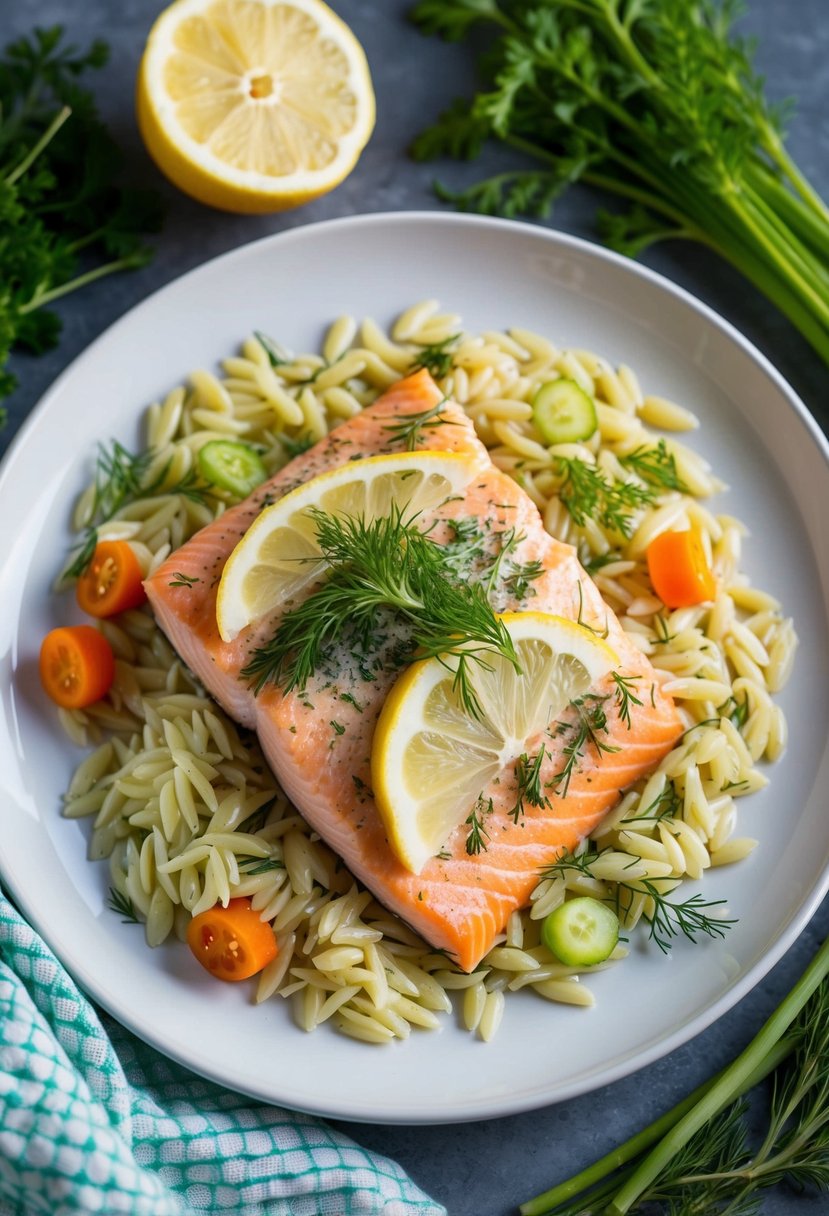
(431, 761)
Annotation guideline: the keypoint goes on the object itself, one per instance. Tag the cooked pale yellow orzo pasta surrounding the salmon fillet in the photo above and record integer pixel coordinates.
(183, 803)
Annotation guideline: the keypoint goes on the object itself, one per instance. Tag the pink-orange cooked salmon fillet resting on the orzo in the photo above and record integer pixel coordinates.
(319, 741)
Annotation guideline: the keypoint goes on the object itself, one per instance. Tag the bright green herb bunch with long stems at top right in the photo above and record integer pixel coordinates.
(656, 102)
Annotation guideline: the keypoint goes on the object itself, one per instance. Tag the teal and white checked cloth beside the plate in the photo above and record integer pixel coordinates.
(93, 1121)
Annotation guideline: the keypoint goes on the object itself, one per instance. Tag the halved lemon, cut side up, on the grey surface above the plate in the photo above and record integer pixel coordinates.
(255, 105)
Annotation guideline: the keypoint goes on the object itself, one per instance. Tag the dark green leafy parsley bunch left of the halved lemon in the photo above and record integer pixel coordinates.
(64, 222)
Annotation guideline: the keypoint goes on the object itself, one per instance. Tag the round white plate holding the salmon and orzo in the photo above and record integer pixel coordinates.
(757, 434)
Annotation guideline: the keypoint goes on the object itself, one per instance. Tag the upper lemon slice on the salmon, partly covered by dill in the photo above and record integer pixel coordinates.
(279, 554)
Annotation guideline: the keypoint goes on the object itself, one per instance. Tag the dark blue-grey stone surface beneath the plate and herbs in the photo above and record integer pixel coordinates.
(478, 1169)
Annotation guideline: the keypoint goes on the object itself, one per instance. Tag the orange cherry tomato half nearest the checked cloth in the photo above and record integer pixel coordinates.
(232, 943)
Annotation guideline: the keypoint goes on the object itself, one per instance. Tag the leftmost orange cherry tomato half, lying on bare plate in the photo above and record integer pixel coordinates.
(77, 666)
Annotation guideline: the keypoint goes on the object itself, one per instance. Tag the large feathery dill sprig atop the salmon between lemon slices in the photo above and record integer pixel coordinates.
(376, 565)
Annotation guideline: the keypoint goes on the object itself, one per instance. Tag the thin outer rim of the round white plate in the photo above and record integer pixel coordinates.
(754, 975)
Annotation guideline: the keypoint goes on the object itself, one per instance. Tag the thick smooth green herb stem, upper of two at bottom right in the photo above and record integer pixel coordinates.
(731, 1083)
